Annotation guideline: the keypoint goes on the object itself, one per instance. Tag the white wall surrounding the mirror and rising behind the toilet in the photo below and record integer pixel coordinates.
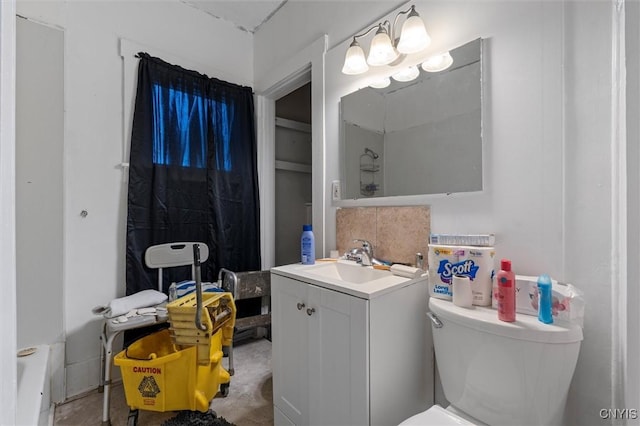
(548, 148)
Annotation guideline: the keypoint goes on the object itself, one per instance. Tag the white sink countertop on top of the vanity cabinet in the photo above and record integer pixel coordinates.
(367, 290)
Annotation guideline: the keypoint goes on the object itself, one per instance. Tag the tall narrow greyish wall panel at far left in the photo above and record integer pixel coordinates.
(39, 192)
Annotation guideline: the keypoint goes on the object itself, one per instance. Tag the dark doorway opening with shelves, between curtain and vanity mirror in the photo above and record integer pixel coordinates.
(293, 175)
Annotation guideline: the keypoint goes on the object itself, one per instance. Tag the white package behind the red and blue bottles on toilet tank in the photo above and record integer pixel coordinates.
(567, 300)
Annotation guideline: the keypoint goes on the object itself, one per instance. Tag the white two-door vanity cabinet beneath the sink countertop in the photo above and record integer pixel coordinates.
(340, 359)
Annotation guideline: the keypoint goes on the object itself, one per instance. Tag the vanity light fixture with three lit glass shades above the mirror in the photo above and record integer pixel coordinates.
(385, 48)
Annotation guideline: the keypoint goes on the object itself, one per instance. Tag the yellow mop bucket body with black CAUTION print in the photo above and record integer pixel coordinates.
(157, 376)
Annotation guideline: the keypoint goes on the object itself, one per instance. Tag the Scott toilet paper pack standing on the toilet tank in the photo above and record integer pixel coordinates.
(474, 262)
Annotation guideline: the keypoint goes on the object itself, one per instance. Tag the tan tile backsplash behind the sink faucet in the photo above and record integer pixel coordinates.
(397, 233)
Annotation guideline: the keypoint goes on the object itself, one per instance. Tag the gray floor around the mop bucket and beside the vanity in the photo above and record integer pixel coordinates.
(249, 402)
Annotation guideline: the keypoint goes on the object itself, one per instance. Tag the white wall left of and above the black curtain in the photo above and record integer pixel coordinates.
(94, 247)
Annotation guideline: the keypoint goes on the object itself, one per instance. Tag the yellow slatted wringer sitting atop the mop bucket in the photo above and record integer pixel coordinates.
(218, 314)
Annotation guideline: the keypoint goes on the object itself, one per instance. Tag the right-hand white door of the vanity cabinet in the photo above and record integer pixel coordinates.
(338, 358)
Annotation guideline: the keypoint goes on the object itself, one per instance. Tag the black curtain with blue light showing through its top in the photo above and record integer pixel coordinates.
(193, 172)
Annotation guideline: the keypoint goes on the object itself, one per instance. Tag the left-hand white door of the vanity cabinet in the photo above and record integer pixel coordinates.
(290, 352)
